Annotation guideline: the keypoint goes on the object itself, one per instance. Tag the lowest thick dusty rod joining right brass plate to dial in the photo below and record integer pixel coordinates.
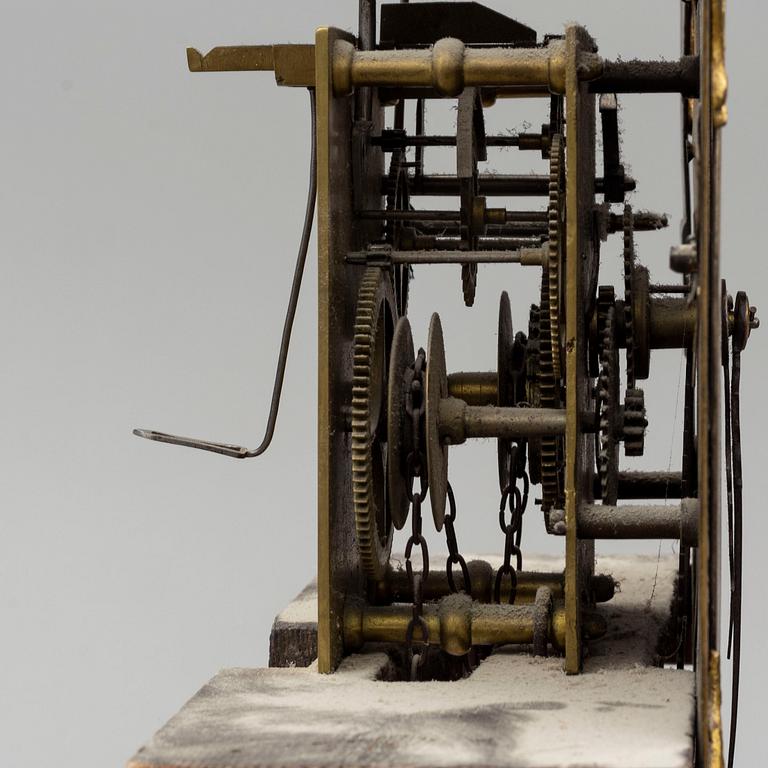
(660, 521)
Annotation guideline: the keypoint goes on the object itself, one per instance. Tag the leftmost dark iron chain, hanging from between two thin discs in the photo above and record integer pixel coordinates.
(415, 406)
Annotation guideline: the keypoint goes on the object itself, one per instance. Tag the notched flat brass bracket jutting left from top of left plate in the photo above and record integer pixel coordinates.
(293, 64)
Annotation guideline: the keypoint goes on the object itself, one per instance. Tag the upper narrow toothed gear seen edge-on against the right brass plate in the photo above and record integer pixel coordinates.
(554, 246)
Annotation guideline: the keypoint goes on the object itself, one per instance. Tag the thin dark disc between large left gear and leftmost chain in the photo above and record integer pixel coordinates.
(399, 434)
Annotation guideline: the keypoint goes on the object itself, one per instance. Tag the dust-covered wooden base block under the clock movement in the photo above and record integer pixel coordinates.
(513, 712)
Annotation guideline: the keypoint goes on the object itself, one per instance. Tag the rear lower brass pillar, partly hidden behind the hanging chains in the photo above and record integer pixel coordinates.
(396, 586)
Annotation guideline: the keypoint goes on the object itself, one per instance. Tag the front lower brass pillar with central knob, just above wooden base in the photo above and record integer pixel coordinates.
(457, 623)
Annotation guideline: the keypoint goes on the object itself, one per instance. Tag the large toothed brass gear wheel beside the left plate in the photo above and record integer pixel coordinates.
(374, 328)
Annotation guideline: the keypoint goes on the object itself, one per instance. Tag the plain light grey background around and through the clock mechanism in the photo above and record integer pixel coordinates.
(148, 226)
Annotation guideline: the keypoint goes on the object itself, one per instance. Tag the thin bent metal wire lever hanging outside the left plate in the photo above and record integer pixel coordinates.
(237, 451)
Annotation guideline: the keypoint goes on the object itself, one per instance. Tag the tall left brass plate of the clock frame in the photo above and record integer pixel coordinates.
(345, 172)
